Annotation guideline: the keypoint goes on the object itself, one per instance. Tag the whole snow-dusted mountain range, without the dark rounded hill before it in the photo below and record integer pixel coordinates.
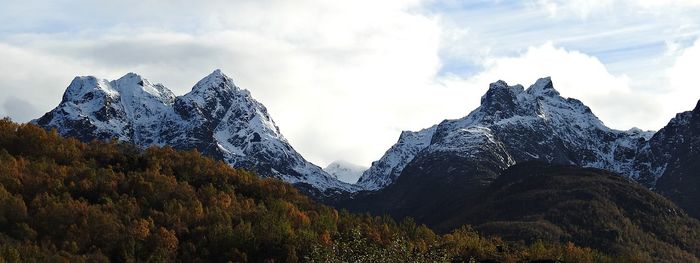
(455, 157)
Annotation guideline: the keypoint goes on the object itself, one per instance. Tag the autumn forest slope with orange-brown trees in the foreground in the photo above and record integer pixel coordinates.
(62, 200)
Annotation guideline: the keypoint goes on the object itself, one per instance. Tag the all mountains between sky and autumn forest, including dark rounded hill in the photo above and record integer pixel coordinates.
(527, 164)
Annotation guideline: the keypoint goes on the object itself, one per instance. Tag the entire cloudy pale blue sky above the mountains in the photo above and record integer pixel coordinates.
(342, 79)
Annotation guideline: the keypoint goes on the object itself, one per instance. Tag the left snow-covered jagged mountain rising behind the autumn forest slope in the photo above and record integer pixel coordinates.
(217, 118)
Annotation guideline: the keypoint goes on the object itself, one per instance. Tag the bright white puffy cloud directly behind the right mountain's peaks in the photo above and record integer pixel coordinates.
(575, 75)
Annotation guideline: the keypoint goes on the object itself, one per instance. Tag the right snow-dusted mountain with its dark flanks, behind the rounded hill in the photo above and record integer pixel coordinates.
(456, 159)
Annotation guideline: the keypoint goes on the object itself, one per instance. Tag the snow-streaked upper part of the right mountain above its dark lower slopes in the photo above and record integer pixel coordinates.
(514, 125)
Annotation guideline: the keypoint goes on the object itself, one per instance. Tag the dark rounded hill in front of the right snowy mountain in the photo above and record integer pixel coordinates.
(588, 206)
